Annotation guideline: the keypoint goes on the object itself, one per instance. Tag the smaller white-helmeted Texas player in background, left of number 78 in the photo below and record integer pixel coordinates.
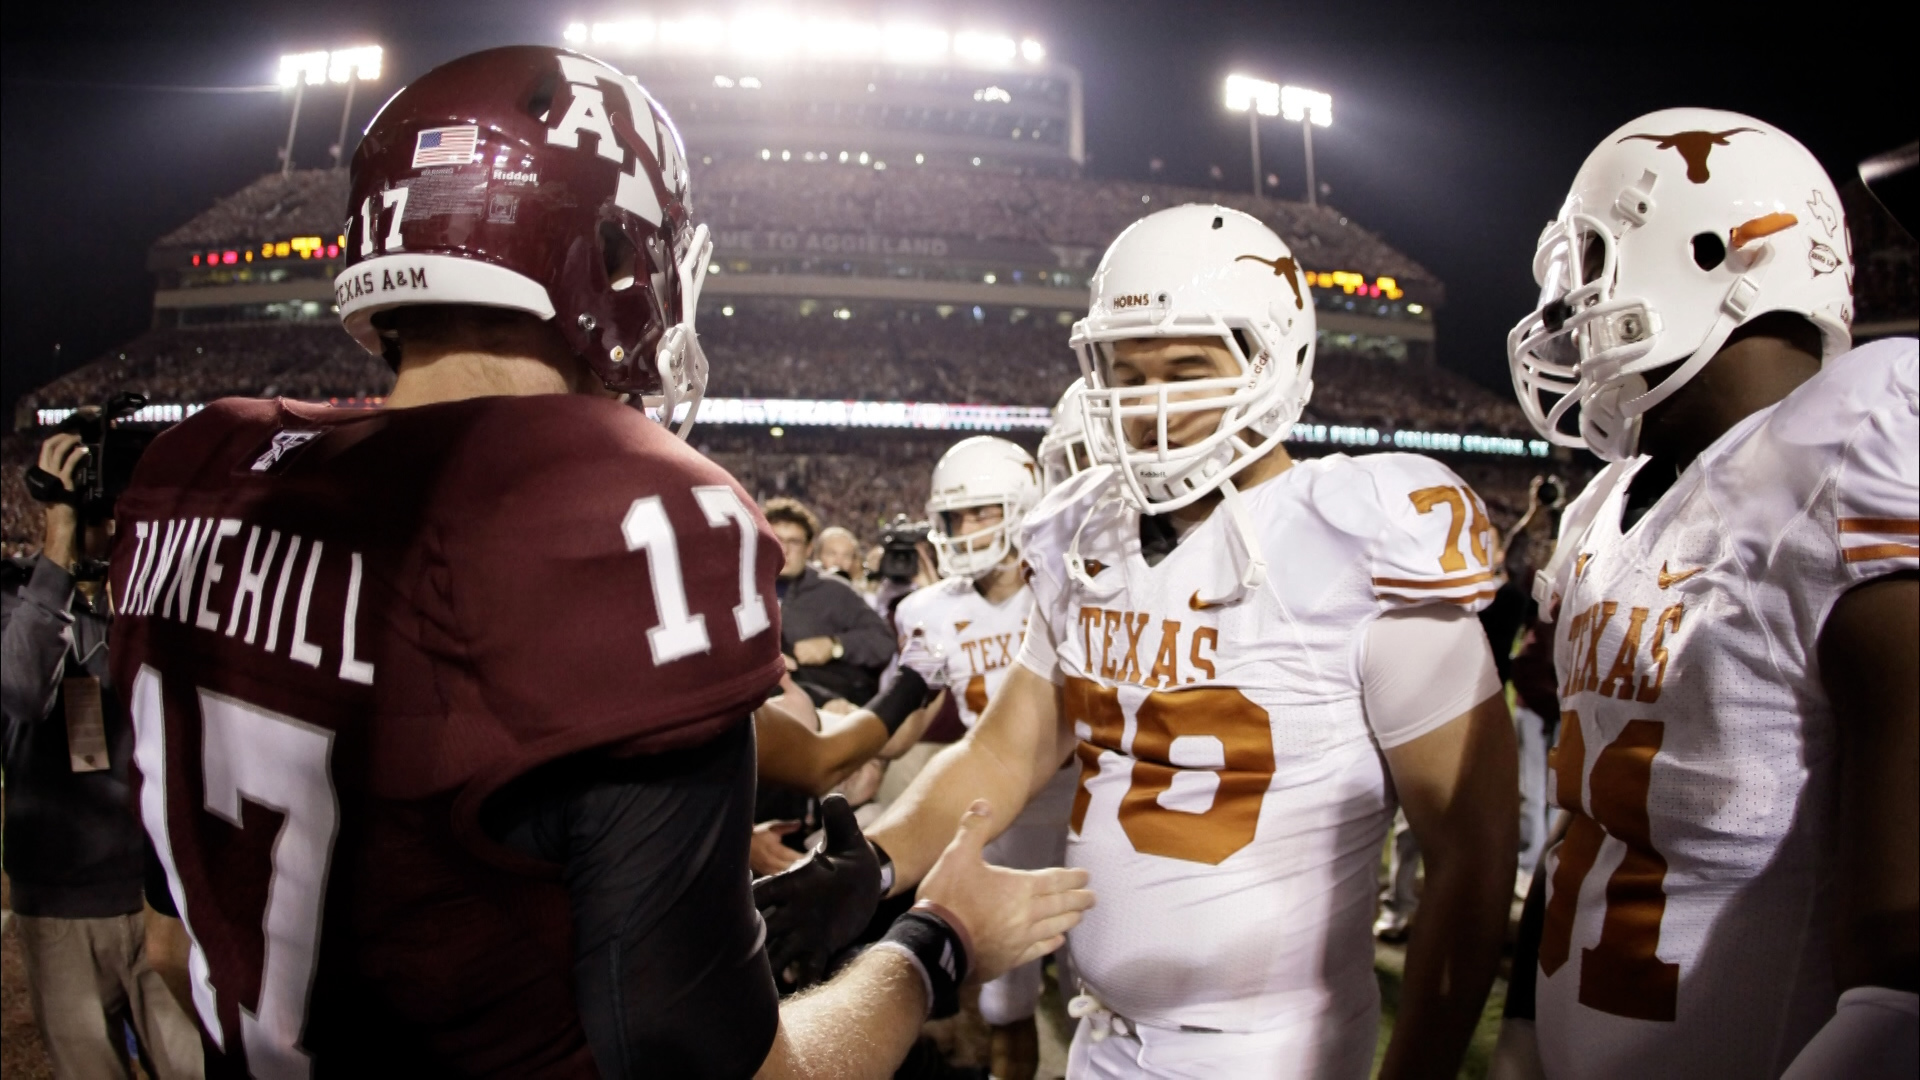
(976, 616)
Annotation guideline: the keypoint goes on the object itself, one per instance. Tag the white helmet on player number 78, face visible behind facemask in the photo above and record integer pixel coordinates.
(1197, 272)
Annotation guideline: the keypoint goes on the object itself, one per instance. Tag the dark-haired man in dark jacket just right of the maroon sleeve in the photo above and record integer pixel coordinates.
(836, 645)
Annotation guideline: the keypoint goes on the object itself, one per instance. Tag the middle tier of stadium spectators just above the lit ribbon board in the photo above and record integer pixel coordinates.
(779, 351)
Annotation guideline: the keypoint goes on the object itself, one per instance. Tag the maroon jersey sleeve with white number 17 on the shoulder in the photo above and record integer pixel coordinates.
(608, 587)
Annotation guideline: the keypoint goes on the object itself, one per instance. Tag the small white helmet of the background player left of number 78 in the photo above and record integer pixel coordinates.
(980, 472)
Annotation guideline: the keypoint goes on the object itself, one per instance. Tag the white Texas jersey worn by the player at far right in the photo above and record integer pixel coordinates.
(1687, 925)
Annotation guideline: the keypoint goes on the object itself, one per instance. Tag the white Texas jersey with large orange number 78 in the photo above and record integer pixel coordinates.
(1234, 797)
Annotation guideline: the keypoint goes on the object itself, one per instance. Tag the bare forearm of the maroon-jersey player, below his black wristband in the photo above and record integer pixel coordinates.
(857, 1027)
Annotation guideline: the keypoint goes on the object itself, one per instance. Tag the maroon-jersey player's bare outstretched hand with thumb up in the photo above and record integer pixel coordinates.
(1011, 916)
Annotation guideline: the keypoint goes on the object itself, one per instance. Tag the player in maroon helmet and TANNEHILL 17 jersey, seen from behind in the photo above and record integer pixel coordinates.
(443, 710)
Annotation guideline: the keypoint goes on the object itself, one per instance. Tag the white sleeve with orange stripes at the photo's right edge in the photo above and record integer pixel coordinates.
(1877, 491)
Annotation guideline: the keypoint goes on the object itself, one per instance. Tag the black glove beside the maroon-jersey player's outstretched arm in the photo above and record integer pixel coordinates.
(821, 904)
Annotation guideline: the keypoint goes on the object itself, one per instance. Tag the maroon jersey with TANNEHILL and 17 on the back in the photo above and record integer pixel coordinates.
(341, 631)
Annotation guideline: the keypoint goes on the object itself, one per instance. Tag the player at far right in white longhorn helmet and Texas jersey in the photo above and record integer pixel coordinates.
(1735, 614)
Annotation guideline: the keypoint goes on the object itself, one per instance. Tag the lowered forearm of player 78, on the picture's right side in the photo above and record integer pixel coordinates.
(1452, 960)
